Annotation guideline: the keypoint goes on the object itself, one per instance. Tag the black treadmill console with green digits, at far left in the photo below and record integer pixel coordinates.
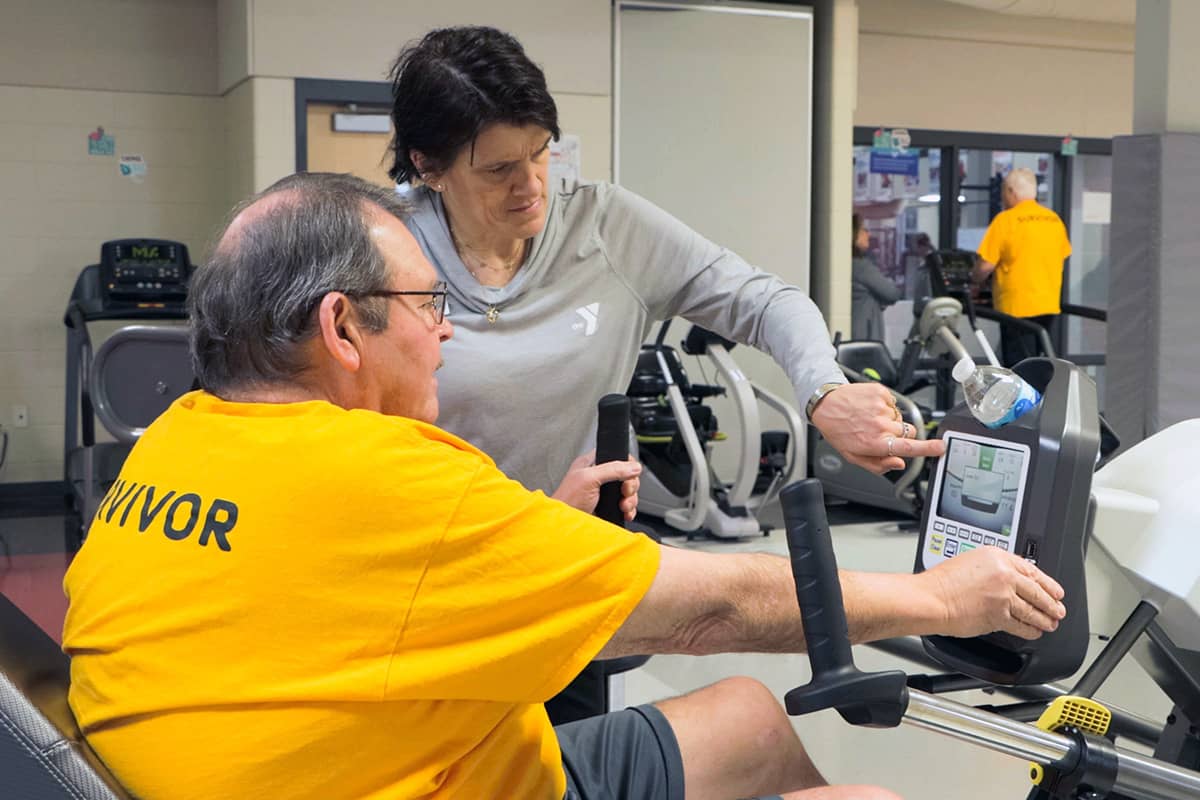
(145, 272)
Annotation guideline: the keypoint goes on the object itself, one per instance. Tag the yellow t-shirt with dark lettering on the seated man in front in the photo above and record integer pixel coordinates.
(301, 601)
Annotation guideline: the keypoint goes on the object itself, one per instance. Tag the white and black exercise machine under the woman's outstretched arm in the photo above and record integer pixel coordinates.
(676, 434)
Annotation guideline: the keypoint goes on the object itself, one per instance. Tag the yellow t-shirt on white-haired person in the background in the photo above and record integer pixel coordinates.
(1028, 244)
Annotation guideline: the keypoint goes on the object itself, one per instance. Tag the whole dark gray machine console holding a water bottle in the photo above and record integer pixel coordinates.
(1024, 489)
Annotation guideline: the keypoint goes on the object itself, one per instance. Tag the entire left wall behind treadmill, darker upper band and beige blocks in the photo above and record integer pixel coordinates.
(146, 71)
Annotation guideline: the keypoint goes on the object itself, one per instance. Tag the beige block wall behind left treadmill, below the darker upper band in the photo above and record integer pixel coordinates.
(59, 204)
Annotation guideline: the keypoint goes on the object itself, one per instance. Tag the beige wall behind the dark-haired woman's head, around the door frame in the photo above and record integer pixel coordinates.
(358, 40)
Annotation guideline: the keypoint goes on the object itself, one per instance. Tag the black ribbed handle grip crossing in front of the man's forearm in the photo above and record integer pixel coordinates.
(815, 570)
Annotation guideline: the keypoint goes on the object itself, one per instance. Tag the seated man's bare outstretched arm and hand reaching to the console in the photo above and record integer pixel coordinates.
(705, 604)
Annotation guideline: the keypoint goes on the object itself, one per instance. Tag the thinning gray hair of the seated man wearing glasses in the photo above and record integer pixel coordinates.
(254, 305)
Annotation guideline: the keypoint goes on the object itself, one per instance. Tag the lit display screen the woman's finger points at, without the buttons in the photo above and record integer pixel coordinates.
(980, 485)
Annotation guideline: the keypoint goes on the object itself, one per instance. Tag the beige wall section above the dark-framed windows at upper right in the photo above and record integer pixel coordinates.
(926, 64)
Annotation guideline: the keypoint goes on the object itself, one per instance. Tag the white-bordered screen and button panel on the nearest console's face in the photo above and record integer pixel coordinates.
(977, 496)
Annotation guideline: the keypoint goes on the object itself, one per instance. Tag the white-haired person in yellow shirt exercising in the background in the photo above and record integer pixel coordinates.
(1024, 250)
